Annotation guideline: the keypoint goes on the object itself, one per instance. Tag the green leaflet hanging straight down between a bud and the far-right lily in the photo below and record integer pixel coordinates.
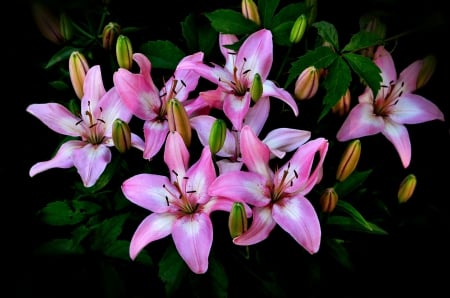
(336, 84)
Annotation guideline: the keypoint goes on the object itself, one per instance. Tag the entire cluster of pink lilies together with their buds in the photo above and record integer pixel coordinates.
(262, 181)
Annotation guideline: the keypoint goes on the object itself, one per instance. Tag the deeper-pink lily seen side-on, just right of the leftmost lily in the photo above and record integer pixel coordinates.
(148, 103)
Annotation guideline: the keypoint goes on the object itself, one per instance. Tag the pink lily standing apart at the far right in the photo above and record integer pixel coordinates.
(394, 106)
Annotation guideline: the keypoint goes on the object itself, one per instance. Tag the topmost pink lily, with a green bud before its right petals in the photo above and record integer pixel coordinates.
(235, 78)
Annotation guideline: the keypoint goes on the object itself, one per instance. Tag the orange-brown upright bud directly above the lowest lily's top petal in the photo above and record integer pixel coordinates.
(178, 120)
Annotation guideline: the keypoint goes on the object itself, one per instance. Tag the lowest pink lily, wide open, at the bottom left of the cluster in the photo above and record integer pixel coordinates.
(180, 205)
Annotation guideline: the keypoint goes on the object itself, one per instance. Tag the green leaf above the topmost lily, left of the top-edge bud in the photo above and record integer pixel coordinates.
(231, 22)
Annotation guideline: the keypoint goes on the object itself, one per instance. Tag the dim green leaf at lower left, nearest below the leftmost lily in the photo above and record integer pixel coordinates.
(61, 213)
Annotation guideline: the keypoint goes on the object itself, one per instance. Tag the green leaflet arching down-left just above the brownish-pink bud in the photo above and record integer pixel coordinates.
(320, 57)
